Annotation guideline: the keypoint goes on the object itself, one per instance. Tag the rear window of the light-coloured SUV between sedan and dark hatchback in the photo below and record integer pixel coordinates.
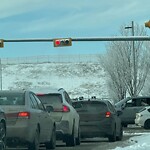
(53, 99)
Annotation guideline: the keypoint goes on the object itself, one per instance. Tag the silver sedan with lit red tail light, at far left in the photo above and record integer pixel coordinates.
(28, 122)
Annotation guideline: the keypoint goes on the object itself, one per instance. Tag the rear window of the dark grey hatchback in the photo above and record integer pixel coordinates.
(93, 107)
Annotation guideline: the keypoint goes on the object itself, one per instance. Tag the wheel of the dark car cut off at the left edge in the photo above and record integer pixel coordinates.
(2, 136)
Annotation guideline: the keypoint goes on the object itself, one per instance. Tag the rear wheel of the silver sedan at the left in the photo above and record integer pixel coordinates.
(35, 144)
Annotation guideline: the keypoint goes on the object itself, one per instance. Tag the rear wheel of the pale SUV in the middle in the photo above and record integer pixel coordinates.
(71, 140)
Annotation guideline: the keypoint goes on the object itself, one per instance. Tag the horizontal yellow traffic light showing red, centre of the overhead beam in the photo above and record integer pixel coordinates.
(62, 42)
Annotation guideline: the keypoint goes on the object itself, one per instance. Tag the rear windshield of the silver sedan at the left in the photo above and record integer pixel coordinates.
(12, 99)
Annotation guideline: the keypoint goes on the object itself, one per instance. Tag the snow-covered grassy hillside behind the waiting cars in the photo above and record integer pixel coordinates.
(79, 79)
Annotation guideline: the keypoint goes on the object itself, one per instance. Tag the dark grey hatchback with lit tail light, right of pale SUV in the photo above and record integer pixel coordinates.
(98, 118)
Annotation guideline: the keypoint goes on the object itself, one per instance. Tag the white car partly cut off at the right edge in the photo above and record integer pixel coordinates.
(143, 118)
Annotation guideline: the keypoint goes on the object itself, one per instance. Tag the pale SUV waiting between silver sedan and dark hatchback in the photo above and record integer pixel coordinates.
(64, 114)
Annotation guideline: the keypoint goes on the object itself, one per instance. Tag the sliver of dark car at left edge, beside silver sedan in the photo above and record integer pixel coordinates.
(2, 130)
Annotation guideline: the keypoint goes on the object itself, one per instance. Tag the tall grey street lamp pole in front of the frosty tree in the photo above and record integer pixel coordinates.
(134, 61)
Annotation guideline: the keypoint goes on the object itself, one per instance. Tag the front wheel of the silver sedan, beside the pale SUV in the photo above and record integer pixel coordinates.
(52, 143)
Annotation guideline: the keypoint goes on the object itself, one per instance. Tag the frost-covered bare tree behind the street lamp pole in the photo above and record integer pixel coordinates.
(127, 73)
